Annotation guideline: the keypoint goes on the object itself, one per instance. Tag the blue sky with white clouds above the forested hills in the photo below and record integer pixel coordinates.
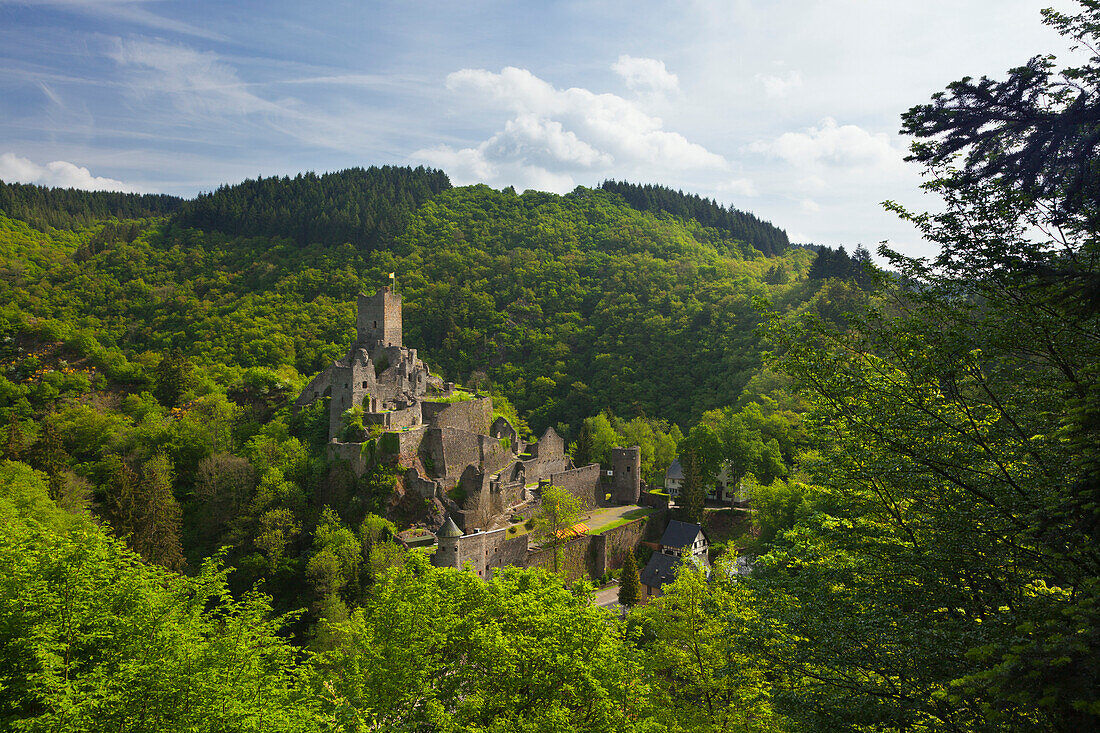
(789, 110)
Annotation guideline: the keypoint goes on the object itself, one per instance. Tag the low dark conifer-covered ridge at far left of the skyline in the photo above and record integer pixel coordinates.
(70, 209)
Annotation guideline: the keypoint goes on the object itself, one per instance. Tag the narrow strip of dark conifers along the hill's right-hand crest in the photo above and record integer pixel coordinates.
(739, 225)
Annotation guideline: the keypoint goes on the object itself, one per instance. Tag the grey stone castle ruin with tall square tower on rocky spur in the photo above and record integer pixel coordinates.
(384, 406)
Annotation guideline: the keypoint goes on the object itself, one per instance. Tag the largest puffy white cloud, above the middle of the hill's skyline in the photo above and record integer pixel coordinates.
(556, 135)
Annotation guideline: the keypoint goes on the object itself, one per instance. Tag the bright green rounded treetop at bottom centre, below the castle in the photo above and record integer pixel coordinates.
(443, 650)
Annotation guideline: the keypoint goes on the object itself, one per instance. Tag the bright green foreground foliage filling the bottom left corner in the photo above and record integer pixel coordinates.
(94, 640)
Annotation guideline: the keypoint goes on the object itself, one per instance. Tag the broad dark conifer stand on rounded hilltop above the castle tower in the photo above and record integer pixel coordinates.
(364, 207)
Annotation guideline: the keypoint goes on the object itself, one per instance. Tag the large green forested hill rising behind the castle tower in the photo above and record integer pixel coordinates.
(567, 305)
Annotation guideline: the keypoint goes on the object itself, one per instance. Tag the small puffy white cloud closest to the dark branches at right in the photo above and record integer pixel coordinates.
(848, 147)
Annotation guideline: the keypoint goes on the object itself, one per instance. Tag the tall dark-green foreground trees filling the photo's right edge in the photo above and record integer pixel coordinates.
(950, 579)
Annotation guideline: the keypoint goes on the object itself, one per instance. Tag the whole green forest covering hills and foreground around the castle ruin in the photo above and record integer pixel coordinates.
(921, 450)
